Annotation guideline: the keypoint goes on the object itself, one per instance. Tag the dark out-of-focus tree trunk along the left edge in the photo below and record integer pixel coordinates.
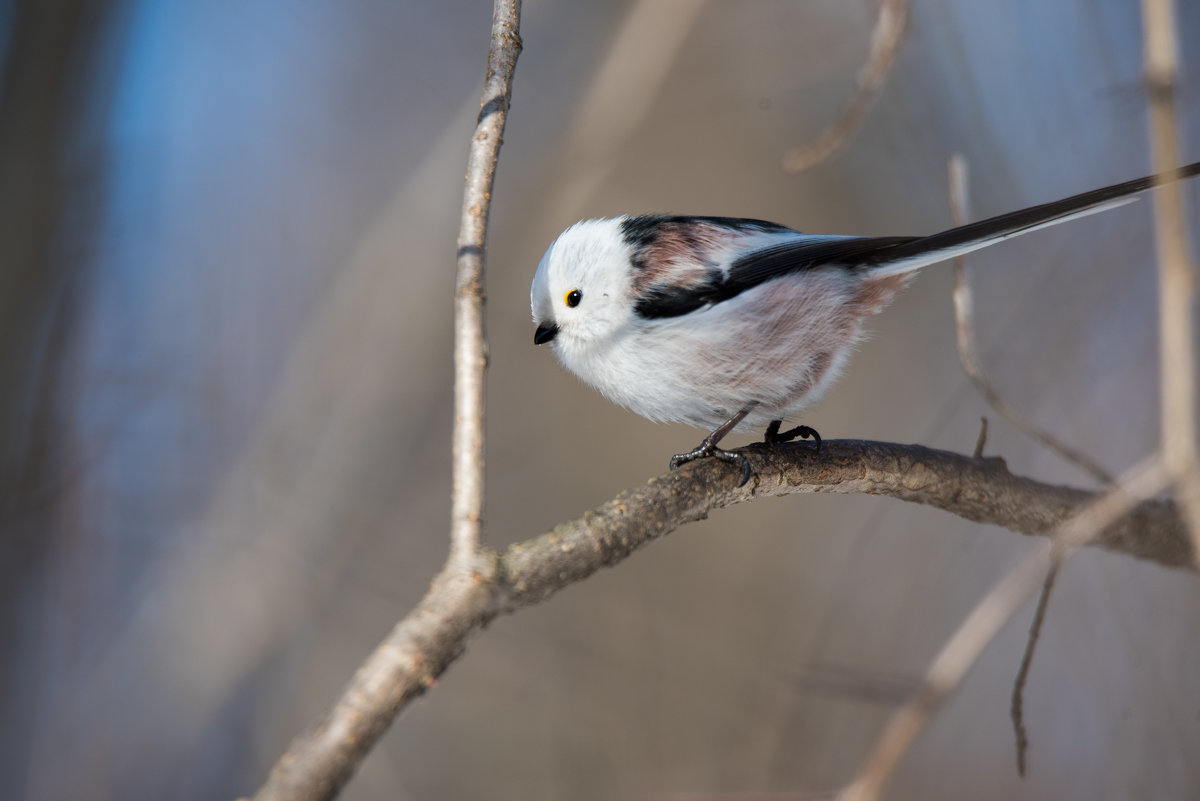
(53, 100)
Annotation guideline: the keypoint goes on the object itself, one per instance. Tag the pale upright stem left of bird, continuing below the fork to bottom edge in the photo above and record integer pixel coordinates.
(320, 762)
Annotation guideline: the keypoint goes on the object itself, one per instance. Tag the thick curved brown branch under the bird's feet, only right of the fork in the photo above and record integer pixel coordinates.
(977, 490)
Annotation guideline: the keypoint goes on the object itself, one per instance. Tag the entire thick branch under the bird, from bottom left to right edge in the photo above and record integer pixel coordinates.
(461, 604)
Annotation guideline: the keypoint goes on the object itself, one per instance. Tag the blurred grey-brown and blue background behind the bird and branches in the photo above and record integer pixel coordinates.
(227, 244)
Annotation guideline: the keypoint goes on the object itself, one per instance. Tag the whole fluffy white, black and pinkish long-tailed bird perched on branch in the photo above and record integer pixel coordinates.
(725, 323)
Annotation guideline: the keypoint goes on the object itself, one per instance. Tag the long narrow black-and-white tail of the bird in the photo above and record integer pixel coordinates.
(925, 251)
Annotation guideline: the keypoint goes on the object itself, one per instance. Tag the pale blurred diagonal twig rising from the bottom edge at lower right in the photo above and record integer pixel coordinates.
(985, 623)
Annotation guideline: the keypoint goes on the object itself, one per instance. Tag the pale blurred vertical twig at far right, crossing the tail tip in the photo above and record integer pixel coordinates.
(1177, 275)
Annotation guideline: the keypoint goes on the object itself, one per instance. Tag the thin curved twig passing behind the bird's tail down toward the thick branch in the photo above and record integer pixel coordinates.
(964, 327)
